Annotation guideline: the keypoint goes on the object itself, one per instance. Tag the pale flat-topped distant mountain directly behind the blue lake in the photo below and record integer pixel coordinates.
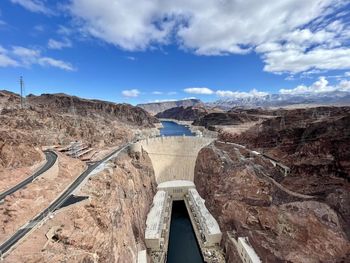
(157, 107)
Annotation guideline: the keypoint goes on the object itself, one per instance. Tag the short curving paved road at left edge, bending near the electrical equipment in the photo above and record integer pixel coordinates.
(51, 158)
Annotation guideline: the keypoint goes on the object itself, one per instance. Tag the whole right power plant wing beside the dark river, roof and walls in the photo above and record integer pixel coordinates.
(208, 227)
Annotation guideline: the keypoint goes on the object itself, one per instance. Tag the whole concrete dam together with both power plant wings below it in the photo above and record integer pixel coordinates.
(174, 160)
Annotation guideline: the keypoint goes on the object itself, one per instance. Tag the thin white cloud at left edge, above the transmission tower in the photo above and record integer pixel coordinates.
(26, 57)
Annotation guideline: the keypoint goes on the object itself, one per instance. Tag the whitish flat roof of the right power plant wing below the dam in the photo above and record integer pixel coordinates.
(210, 223)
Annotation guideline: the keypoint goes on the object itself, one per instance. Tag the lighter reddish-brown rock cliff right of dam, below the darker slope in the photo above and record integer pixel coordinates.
(245, 196)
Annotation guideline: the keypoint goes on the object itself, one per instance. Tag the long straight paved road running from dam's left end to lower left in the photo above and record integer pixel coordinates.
(9, 243)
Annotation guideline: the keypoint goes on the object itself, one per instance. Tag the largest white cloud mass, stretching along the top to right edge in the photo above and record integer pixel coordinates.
(291, 35)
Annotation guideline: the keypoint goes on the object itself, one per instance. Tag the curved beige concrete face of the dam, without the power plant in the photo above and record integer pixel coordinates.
(173, 157)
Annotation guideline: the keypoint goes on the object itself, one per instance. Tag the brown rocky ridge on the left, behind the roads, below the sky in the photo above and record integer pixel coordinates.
(60, 119)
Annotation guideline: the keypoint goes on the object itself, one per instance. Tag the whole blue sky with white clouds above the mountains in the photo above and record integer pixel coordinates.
(155, 50)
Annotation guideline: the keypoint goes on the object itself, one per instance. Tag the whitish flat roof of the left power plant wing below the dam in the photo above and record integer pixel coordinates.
(154, 222)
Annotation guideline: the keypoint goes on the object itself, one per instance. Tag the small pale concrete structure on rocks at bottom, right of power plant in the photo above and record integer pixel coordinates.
(244, 248)
